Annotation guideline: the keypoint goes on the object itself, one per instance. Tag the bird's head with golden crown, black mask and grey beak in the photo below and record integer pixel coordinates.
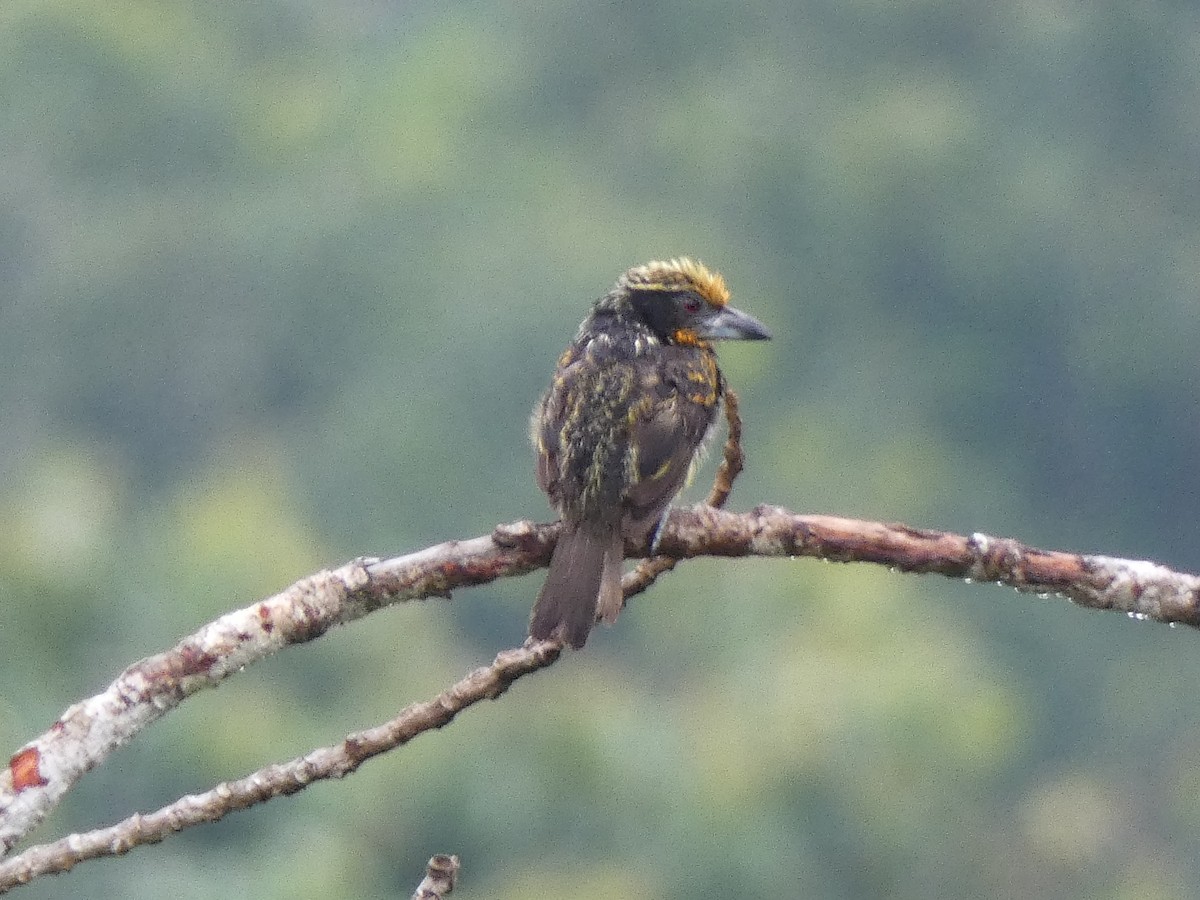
(683, 303)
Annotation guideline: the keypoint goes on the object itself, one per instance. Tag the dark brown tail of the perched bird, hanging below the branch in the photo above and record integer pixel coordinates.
(580, 584)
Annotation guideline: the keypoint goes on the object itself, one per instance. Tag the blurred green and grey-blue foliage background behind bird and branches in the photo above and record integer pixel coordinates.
(281, 280)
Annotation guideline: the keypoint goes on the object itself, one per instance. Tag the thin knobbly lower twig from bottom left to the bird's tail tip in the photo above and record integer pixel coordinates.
(281, 779)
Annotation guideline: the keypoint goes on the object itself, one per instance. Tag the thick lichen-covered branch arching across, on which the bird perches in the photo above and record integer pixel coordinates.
(41, 772)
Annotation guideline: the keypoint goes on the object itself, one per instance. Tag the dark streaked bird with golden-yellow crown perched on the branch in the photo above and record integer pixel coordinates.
(617, 434)
